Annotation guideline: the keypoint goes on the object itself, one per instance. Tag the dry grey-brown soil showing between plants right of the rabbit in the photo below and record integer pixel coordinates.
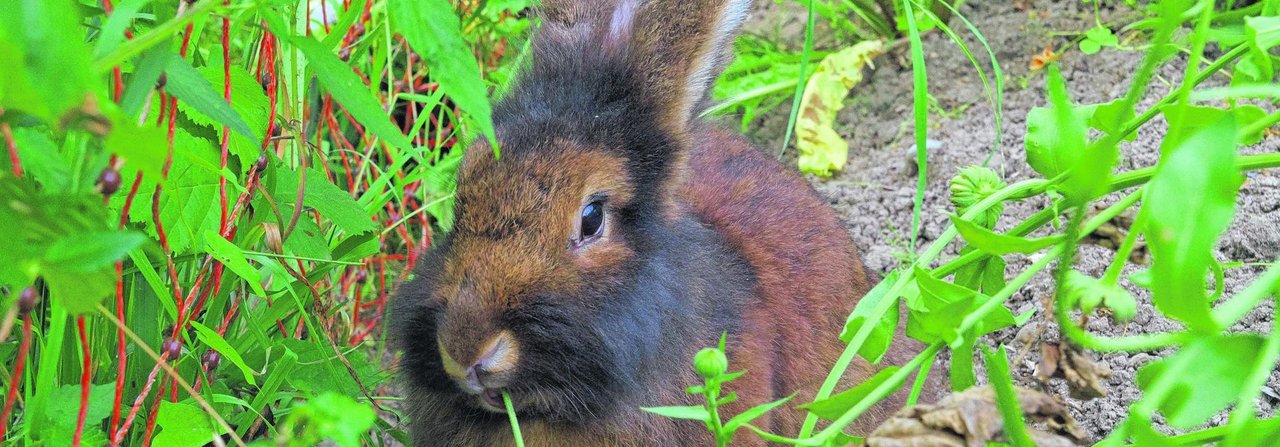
(875, 193)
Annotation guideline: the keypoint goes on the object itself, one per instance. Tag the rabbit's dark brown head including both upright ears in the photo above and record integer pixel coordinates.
(527, 294)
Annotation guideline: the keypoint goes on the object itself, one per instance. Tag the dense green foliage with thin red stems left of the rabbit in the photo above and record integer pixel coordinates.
(245, 181)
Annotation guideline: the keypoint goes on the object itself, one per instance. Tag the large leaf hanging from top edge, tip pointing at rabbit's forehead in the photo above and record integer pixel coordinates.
(435, 33)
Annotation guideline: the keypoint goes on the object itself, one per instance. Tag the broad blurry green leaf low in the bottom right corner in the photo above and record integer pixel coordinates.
(1206, 376)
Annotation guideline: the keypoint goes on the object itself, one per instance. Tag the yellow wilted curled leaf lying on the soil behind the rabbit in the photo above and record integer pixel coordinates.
(822, 150)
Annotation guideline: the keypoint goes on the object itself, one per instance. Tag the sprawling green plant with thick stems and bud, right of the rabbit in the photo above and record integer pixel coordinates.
(1076, 149)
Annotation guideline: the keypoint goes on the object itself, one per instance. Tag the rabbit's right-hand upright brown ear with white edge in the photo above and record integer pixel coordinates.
(679, 48)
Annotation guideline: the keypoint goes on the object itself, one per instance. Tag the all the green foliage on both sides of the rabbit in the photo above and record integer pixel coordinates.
(211, 202)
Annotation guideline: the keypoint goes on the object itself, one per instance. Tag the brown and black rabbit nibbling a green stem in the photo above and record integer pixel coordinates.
(616, 236)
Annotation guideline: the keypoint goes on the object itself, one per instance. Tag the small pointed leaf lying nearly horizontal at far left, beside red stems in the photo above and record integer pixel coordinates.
(93, 252)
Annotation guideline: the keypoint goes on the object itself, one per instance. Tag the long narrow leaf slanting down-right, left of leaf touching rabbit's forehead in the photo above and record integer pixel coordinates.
(346, 88)
